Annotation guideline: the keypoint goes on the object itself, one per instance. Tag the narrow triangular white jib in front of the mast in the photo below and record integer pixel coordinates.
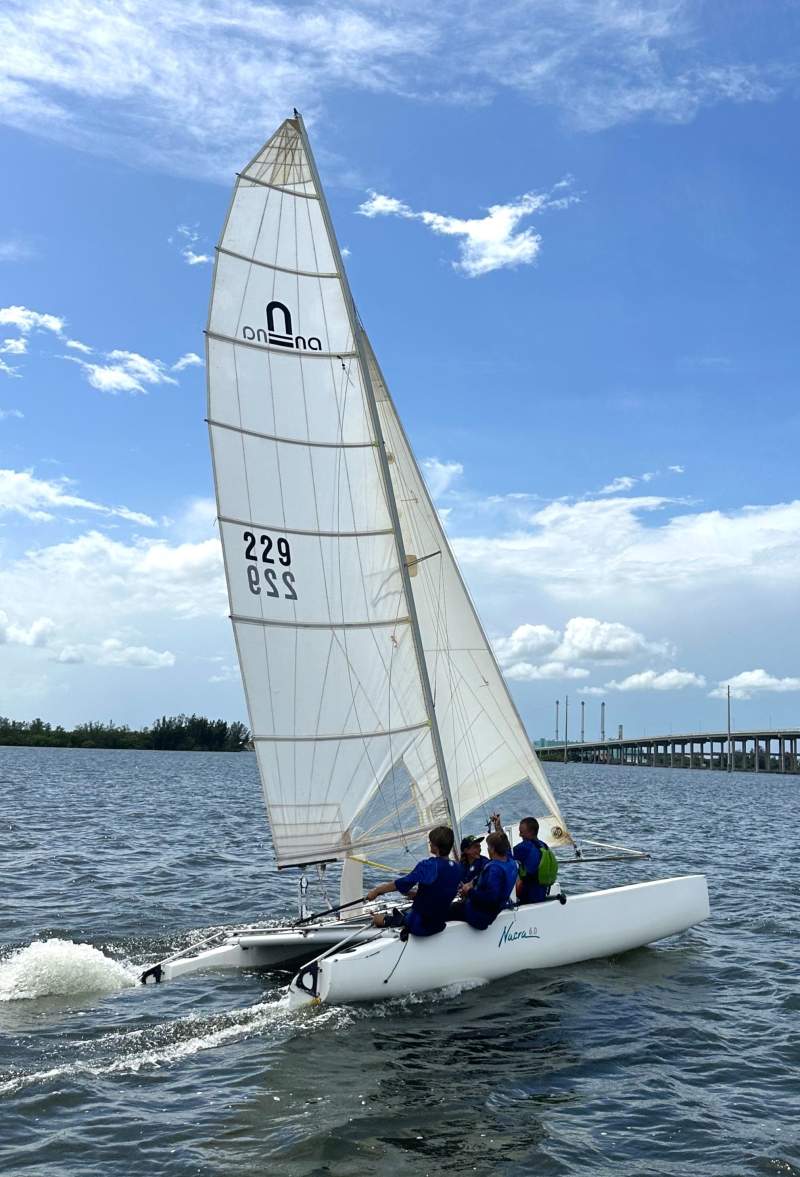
(486, 748)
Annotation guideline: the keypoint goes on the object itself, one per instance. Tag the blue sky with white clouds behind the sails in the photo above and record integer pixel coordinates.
(571, 232)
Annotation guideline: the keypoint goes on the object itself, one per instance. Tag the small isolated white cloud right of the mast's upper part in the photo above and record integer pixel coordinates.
(485, 243)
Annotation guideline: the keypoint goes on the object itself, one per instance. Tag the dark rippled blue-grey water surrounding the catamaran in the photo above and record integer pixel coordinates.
(678, 1059)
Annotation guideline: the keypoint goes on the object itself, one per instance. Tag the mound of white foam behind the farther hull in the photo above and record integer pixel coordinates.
(57, 968)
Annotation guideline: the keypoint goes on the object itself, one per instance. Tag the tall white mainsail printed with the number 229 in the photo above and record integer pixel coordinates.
(321, 614)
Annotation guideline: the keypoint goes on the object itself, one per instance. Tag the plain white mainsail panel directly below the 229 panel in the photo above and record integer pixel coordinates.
(338, 683)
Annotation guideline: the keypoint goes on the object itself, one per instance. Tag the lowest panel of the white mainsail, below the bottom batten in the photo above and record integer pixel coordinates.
(317, 793)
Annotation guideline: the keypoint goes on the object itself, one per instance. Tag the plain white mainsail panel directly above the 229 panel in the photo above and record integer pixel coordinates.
(321, 489)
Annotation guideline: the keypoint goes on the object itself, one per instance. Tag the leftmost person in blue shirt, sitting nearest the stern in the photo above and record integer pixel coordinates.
(436, 881)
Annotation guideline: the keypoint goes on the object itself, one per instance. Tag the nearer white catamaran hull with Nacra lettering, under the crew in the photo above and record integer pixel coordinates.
(537, 936)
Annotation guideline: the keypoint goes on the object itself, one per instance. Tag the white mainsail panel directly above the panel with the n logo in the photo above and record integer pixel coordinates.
(278, 230)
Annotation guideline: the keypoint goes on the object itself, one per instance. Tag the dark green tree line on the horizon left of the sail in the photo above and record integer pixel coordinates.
(177, 734)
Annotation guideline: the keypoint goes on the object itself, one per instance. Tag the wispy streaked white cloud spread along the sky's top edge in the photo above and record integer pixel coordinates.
(95, 75)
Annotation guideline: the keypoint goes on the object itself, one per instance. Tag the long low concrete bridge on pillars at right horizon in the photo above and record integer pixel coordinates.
(755, 752)
